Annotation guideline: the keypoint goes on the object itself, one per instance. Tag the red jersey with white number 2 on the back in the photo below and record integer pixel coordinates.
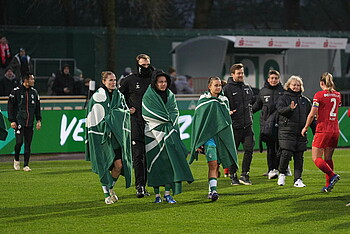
(327, 104)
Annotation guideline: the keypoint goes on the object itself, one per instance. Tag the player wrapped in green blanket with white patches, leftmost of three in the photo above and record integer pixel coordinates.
(108, 140)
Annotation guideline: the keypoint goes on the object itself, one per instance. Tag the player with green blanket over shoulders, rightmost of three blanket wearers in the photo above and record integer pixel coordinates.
(212, 131)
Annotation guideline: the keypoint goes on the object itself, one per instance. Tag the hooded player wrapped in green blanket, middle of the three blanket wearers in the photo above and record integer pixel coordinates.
(165, 153)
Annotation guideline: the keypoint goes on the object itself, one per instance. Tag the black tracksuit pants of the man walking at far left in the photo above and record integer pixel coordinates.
(23, 134)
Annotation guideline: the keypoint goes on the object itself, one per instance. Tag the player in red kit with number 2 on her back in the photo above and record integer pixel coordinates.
(325, 110)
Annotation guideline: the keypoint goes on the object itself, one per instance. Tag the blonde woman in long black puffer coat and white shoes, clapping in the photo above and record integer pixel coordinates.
(293, 109)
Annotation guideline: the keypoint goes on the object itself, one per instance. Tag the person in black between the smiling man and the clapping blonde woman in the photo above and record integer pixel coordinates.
(266, 102)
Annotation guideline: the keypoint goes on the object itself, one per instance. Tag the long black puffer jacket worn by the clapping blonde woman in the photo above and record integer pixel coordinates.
(291, 122)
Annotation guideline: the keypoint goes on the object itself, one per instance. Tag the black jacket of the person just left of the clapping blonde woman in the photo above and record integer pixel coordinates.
(266, 102)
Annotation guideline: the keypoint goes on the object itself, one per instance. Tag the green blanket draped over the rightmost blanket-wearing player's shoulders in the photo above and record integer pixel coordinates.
(212, 120)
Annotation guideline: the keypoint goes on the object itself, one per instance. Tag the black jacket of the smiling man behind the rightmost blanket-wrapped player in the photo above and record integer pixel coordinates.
(240, 96)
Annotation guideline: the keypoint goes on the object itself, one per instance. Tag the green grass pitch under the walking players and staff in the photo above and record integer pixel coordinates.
(65, 196)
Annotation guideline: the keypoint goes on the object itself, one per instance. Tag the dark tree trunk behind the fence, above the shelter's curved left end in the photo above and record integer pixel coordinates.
(202, 13)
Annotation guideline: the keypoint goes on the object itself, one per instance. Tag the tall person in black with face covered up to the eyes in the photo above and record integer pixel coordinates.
(134, 87)
